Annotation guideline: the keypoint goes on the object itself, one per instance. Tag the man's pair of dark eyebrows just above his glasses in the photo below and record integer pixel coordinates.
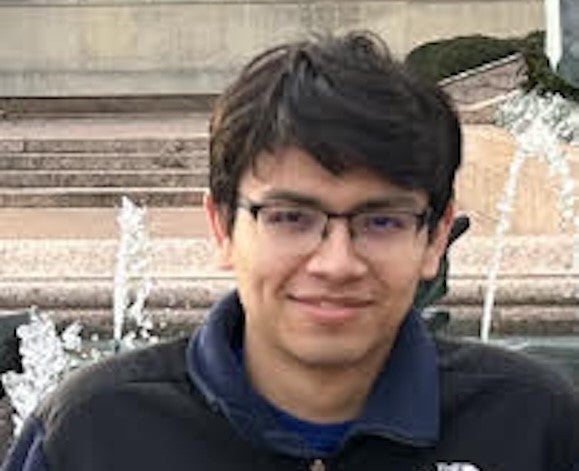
(392, 201)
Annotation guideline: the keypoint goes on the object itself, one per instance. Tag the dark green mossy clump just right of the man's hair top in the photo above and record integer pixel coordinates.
(441, 59)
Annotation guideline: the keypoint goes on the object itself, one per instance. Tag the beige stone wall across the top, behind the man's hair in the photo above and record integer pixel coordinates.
(52, 48)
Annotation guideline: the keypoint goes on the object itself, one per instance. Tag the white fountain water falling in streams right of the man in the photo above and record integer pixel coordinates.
(541, 126)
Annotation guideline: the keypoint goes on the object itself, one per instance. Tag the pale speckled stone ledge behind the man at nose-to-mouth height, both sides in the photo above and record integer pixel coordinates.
(78, 274)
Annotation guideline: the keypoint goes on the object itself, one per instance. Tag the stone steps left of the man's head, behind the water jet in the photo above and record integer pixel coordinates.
(61, 182)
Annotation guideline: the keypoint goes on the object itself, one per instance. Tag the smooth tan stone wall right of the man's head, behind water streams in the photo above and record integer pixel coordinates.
(488, 152)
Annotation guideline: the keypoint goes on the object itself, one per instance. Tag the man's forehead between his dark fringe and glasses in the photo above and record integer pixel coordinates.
(293, 171)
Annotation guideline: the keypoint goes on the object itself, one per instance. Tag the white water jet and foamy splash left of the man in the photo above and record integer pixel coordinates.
(47, 357)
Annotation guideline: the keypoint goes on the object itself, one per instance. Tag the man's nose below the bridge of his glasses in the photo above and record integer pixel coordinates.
(336, 258)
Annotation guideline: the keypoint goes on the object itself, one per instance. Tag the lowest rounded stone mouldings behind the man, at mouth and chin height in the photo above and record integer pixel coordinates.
(178, 304)
